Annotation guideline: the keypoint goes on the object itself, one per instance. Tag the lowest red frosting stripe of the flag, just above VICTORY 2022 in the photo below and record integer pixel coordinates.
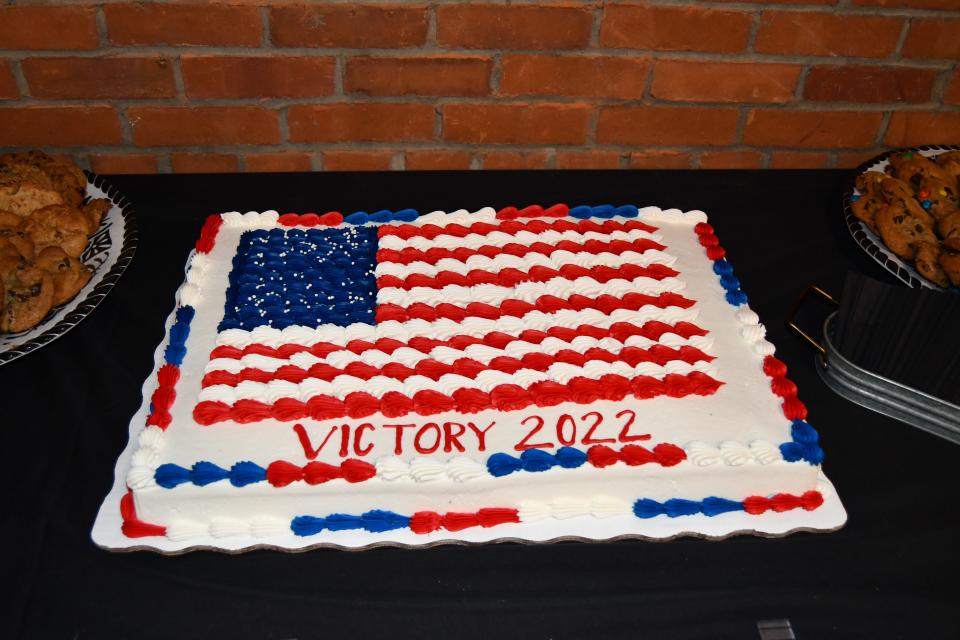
(428, 402)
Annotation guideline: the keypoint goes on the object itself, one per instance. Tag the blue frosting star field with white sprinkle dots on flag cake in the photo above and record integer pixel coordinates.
(303, 277)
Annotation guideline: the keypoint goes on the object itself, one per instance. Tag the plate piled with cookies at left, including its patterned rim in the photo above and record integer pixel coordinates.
(66, 236)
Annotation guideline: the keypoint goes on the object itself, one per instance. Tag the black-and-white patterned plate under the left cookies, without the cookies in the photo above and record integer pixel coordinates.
(108, 253)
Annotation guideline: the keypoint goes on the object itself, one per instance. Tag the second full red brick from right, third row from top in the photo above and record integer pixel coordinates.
(667, 125)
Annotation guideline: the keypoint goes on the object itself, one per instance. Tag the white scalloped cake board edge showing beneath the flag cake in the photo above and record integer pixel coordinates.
(107, 534)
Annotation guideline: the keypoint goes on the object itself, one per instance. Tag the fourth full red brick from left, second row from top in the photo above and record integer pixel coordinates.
(589, 76)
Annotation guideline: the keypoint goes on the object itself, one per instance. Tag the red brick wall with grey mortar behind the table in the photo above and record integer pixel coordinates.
(274, 86)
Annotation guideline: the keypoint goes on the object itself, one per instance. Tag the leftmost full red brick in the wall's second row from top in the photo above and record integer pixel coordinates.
(86, 78)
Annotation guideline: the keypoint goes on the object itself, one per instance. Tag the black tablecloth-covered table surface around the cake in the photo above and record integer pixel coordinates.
(891, 572)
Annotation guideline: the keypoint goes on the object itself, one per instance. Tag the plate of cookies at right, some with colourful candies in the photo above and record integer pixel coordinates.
(904, 211)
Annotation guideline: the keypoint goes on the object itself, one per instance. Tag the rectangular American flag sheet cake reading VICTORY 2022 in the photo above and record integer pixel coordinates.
(415, 378)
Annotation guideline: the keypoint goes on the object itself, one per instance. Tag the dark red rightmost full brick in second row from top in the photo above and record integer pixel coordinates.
(869, 84)
